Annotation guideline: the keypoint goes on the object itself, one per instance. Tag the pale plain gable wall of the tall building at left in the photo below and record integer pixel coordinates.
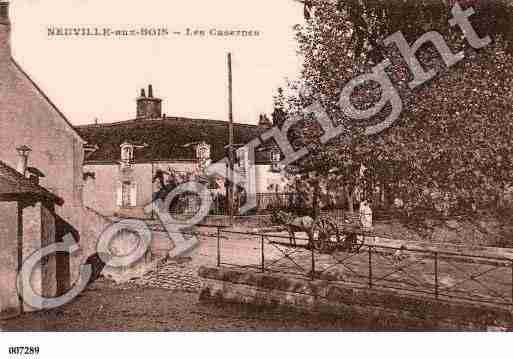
(27, 117)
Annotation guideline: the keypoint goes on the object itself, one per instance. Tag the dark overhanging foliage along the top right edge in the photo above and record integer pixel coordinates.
(373, 20)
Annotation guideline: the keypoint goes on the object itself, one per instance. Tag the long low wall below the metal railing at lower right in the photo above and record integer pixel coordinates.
(237, 286)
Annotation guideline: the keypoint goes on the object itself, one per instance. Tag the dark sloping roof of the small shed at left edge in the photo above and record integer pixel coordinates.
(13, 184)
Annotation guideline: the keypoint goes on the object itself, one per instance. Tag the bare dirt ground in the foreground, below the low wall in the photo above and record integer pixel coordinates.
(109, 307)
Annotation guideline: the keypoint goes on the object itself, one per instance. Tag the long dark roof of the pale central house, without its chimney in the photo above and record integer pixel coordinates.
(170, 138)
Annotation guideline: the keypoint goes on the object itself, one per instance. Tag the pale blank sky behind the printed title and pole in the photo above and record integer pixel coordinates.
(91, 77)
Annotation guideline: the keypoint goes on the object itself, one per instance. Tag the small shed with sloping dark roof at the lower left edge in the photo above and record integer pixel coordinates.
(28, 222)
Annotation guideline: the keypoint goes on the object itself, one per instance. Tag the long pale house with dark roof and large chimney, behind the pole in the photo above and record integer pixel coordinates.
(128, 156)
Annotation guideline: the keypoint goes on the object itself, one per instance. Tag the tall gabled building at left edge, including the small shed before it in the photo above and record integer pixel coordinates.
(38, 140)
